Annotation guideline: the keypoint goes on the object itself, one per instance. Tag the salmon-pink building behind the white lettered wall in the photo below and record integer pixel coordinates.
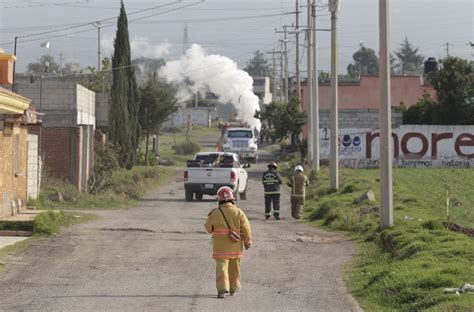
(359, 100)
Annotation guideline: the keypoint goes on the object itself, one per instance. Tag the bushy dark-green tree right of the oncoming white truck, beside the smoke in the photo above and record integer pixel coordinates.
(283, 120)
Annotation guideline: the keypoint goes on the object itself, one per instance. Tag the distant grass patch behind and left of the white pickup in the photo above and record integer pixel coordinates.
(167, 141)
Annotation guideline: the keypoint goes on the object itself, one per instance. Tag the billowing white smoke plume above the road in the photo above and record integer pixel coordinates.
(218, 74)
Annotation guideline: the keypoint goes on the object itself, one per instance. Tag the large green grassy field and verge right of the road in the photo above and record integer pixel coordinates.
(407, 267)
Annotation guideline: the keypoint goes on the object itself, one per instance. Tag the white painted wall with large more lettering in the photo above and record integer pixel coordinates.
(414, 146)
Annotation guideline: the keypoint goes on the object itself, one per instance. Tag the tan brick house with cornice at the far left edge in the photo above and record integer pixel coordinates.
(15, 145)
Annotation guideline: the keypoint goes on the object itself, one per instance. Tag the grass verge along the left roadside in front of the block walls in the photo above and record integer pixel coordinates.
(127, 187)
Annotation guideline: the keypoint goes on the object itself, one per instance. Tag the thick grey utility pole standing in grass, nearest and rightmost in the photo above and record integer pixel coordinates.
(386, 154)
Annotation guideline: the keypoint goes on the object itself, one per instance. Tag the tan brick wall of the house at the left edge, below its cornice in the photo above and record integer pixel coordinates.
(12, 182)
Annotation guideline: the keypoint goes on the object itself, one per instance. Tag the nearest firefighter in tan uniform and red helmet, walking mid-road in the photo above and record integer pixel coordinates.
(226, 251)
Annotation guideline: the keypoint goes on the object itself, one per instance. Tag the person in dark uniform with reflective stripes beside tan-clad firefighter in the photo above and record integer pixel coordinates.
(271, 180)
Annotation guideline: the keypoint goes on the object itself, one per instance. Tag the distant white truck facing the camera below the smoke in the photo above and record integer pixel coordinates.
(241, 141)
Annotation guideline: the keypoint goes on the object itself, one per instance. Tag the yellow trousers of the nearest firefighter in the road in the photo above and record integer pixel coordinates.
(227, 275)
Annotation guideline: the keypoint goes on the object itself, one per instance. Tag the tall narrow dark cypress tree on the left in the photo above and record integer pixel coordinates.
(124, 129)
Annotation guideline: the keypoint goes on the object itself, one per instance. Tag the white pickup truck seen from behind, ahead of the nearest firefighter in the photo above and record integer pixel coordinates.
(211, 170)
